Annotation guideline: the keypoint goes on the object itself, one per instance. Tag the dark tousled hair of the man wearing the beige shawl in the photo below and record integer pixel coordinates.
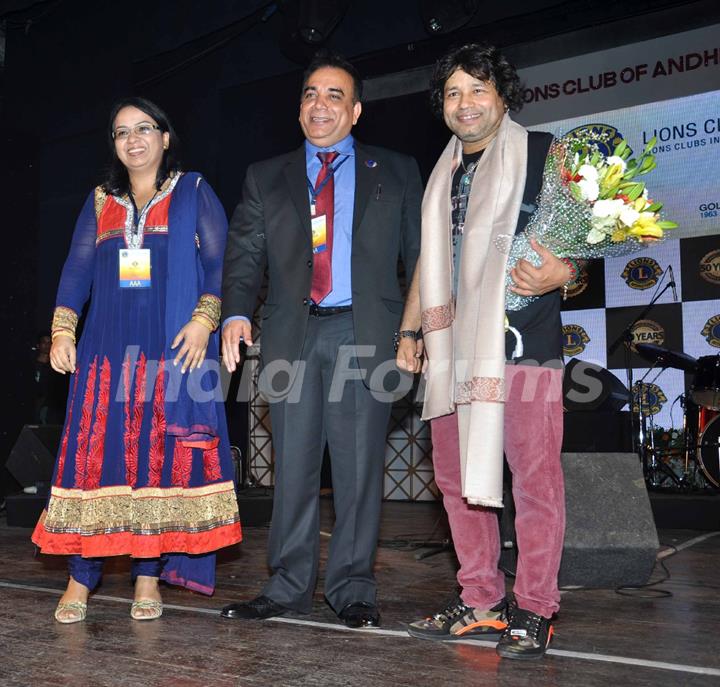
(484, 62)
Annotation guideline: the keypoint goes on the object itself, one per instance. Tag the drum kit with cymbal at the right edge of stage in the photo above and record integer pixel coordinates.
(699, 451)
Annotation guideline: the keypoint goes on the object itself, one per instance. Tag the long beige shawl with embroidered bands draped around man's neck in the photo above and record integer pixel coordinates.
(465, 341)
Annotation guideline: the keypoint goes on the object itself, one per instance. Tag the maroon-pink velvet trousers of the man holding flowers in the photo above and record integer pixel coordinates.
(533, 437)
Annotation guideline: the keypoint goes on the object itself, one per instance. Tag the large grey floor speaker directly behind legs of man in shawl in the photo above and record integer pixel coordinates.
(610, 535)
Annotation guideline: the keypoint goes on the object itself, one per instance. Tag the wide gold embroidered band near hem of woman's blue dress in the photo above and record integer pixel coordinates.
(141, 511)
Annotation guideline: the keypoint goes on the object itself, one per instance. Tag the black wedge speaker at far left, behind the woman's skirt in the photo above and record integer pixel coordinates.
(32, 458)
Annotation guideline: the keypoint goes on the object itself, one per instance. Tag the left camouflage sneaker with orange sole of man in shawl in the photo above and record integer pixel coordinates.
(460, 621)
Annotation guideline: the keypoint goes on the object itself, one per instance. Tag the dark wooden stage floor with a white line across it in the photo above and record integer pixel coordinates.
(602, 638)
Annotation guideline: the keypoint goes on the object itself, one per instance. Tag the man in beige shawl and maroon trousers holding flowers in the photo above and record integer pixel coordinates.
(494, 383)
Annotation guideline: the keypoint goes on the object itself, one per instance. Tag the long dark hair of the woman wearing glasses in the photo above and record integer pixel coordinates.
(116, 179)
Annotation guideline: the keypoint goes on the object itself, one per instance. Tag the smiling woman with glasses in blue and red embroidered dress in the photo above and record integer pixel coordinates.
(144, 466)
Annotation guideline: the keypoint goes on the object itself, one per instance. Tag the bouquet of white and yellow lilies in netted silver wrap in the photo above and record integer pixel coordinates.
(591, 205)
